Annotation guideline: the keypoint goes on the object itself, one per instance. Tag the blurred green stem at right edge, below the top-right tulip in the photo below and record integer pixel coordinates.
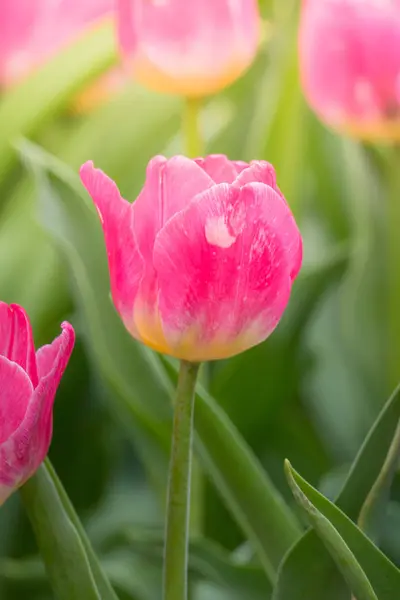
(393, 267)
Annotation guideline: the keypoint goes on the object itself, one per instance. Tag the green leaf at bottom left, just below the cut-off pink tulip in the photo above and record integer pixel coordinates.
(70, 561)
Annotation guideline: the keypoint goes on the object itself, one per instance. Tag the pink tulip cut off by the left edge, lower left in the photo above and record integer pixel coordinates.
(28, 383)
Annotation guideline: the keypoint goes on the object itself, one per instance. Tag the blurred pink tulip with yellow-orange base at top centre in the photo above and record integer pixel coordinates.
(185, 46)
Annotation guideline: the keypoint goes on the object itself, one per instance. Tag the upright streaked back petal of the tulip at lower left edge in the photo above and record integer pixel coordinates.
(16, 339)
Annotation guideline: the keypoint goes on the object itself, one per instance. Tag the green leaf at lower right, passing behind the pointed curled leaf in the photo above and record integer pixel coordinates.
(307, 567)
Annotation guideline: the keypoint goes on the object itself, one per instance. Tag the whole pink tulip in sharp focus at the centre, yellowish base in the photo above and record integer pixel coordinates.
(202, 263)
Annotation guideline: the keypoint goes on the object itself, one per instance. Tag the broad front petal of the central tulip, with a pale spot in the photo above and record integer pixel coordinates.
(224, 269)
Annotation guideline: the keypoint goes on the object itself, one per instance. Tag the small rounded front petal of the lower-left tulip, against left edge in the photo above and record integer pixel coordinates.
(16, 391)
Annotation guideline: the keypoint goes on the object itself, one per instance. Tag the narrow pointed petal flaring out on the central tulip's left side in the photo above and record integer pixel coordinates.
(125, 261)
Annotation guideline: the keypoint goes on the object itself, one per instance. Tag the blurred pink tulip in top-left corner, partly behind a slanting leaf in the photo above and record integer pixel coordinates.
(32, 31)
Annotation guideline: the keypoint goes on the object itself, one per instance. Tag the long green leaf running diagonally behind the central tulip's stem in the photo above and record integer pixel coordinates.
(143, 387)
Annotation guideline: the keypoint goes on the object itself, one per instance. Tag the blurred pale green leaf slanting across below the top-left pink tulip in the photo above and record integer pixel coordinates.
(24, 109)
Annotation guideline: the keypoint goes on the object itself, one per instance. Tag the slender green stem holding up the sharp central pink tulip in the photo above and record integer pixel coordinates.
(177, 524)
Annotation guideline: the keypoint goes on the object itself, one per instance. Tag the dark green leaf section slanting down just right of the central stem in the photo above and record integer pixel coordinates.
(250, 495)
